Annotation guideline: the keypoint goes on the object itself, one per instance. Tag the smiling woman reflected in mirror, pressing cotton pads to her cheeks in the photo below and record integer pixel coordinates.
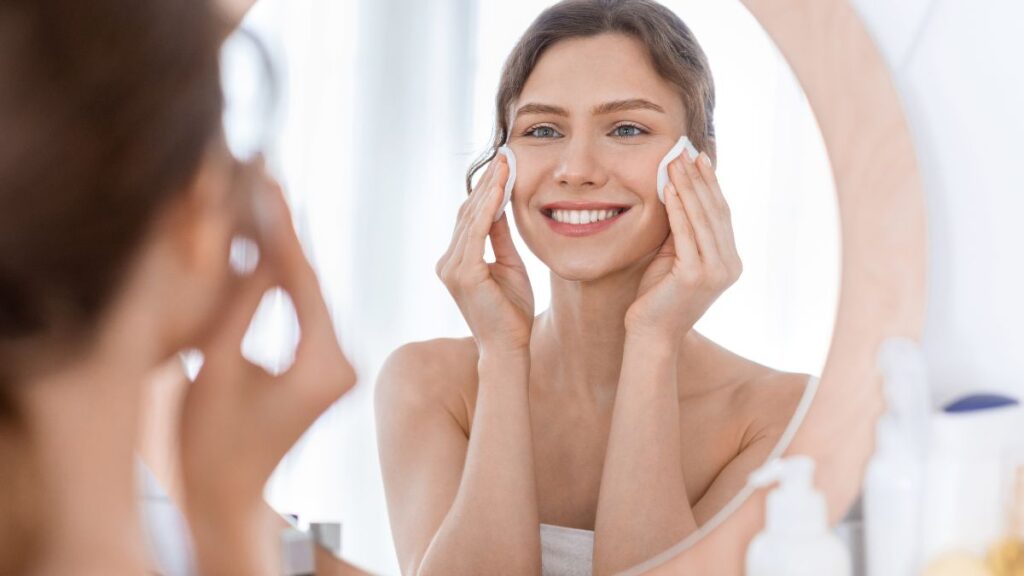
(608, 413)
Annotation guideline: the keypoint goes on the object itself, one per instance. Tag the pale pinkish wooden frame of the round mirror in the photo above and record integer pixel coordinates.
(883, 286)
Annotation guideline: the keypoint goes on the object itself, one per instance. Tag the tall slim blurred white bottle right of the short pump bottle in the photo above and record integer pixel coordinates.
(895, 476)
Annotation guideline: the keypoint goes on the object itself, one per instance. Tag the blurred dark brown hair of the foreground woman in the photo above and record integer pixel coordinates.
(107, 109)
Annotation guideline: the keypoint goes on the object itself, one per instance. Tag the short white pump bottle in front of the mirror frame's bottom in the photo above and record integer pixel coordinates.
(796, 541)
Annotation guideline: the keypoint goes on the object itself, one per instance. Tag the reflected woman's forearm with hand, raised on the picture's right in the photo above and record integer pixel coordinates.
(696, 265)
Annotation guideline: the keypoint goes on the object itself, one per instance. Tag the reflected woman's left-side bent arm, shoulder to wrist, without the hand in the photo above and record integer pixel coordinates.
(458, 505)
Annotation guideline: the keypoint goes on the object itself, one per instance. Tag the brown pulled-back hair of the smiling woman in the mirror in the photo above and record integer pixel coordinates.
(674, 52)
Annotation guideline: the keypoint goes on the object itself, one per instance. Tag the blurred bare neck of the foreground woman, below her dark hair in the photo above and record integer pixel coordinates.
(83, 422)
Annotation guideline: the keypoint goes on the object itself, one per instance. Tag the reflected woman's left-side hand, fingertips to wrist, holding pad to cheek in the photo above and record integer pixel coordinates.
(495, 298)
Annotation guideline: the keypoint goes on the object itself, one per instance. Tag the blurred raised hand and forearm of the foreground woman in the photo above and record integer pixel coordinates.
(238, 422)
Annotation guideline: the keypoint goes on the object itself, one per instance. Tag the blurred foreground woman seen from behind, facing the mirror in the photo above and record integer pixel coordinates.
(119, 201)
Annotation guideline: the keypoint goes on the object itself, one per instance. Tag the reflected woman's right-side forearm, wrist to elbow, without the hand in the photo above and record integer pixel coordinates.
(643, 507)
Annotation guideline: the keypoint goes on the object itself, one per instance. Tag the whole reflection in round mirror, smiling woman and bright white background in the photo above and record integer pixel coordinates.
(684, 394)
